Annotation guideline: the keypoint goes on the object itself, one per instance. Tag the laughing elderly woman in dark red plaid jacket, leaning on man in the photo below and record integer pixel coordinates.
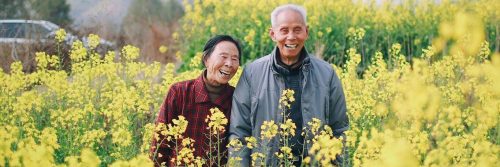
(194, 98)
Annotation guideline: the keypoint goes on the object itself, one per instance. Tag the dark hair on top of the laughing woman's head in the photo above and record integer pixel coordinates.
(212, 42)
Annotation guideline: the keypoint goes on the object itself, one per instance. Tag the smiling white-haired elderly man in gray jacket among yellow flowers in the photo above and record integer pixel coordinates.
(318, 90)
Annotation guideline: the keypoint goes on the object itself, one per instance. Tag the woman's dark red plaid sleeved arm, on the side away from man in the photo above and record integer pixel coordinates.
(160, 151)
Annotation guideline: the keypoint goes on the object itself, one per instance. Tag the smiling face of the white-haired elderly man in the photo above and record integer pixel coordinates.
(289, 33)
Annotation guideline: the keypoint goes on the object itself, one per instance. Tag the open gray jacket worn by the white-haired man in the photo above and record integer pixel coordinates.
(256, 97)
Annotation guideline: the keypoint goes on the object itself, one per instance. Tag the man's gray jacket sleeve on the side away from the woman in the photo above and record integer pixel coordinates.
(338, 117)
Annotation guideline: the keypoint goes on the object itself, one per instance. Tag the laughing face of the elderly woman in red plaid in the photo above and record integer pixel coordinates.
(222, 64)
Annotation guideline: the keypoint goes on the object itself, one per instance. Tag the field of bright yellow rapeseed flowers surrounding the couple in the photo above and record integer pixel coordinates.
(421, 80)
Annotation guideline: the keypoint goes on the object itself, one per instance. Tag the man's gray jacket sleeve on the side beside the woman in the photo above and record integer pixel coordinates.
(240, 126)
